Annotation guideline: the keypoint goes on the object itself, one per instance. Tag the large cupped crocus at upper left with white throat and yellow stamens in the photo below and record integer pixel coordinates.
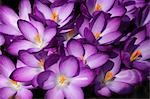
(36, 37)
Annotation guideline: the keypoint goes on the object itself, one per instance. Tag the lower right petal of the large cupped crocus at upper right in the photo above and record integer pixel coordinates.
(110, 37)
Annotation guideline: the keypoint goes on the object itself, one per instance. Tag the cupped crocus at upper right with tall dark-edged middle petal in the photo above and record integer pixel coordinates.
(102, 29)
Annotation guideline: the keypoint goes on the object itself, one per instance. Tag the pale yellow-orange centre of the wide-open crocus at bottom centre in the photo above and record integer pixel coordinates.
(62, 80)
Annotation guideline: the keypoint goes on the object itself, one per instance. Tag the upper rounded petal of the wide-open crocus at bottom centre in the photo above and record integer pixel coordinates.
(69, 66)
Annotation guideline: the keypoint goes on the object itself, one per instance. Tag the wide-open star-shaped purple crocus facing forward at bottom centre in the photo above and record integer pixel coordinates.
(66, 81)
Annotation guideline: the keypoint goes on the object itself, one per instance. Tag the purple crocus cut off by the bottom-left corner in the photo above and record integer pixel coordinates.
(13, 88)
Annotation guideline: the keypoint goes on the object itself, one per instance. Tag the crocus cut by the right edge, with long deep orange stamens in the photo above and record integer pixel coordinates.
(138, 57)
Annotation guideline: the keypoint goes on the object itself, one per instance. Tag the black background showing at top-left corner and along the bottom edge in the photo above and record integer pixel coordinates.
(140, 92)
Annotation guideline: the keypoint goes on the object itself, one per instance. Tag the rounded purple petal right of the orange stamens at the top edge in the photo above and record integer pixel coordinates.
(117, 11)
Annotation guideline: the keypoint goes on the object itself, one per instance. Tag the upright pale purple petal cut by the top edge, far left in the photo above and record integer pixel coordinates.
(24, 9)
